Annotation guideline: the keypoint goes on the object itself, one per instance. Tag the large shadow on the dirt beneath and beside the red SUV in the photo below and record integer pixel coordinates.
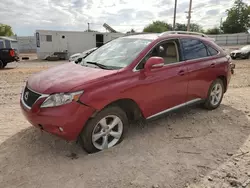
(152, 153)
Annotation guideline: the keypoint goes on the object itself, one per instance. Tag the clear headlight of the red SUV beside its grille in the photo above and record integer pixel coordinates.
(61, 99)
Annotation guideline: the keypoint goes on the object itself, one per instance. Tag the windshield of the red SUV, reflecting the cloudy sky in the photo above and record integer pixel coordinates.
(118, 53)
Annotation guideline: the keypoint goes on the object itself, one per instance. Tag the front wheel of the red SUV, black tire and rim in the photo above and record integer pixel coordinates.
(105, 130)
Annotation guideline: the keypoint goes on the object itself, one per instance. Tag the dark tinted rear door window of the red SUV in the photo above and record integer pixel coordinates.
(193, 49)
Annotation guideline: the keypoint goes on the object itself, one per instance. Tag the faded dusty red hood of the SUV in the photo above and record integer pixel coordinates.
(65, 77)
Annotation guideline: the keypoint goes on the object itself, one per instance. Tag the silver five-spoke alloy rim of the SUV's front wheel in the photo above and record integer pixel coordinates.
(107, 132)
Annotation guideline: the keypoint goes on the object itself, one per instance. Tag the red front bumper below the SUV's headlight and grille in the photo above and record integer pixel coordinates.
(65, 121)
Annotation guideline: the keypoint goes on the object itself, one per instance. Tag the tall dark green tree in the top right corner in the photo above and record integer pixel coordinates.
(238, 18)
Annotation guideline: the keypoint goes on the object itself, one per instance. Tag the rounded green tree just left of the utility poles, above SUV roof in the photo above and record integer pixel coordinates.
(157, 27)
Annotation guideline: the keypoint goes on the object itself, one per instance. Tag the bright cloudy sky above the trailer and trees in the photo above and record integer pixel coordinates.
(25, 16)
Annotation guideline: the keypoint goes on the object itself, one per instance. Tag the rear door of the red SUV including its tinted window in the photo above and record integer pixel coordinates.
(201, 67)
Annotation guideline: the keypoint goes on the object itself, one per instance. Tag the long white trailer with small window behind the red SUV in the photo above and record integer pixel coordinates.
(49, 42)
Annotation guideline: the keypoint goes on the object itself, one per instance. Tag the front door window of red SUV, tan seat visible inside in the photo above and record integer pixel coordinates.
(167, 50)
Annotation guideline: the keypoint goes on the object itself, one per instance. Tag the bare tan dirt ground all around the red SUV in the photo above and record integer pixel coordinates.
(155, 154)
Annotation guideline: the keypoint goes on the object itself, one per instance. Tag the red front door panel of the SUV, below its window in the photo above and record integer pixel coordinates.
(160, 89)
